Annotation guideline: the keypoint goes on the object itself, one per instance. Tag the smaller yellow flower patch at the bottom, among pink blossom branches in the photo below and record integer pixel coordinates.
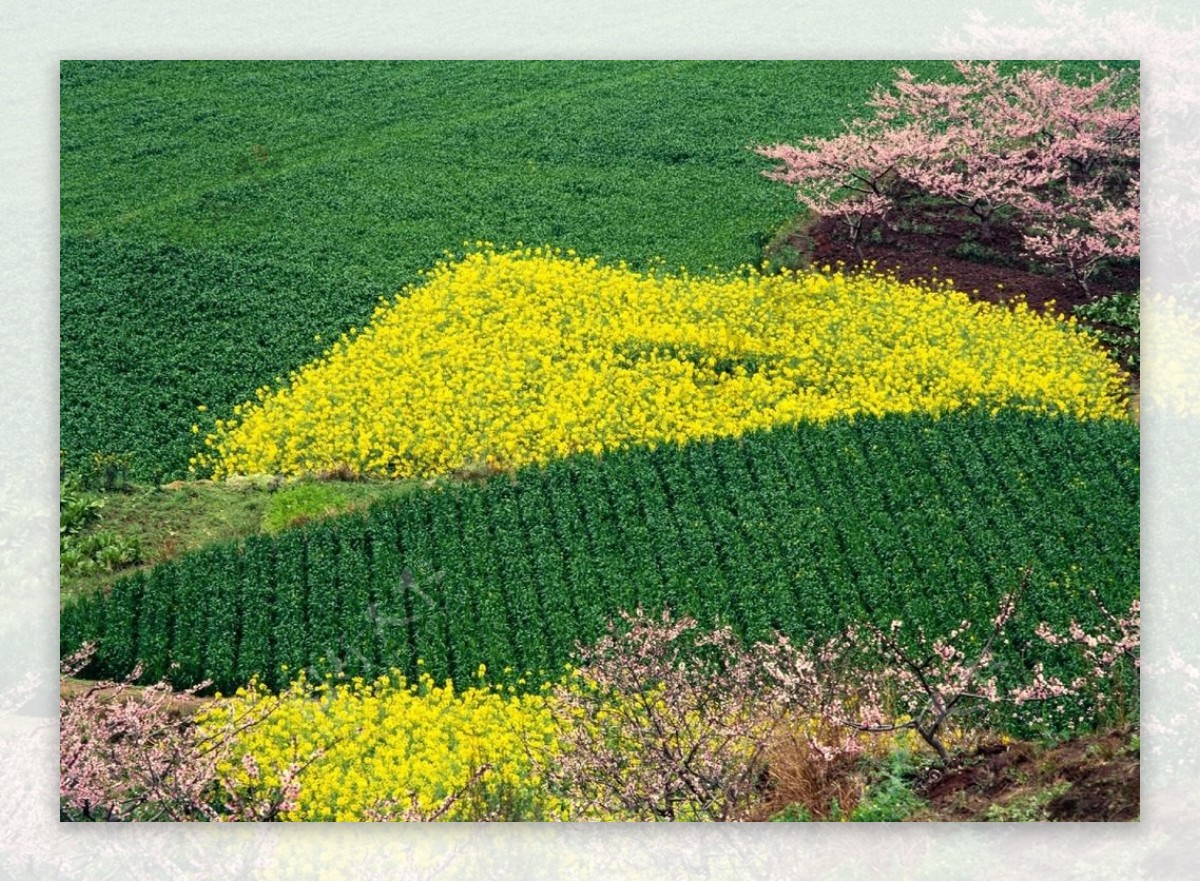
(392, 749)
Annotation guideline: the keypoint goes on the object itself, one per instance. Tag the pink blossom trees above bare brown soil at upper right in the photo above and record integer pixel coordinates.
(1025, 149)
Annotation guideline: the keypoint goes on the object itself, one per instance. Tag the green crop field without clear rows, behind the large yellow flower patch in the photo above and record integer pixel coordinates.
(217, 217)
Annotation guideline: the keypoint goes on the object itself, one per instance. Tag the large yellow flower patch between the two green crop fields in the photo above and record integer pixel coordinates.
(529, 356)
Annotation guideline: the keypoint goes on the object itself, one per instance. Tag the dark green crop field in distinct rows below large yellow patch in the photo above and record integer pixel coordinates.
(801, 530)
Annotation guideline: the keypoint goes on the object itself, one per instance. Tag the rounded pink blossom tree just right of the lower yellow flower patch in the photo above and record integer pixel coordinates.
(662, 723)
